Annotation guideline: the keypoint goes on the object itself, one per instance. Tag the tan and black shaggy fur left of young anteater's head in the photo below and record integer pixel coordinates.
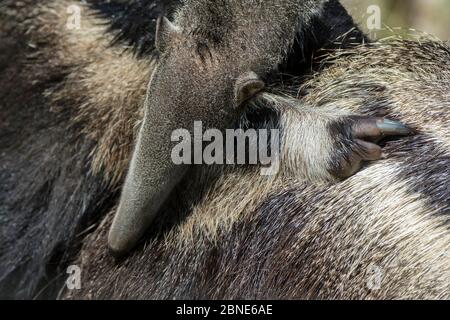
(68, 117)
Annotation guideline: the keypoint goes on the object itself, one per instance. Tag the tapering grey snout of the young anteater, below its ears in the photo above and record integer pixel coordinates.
(151, 178)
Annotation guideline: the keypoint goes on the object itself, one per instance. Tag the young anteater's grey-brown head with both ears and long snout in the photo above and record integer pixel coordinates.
(193, 81)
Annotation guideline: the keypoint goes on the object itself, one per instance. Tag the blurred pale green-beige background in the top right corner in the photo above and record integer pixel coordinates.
(429, 16)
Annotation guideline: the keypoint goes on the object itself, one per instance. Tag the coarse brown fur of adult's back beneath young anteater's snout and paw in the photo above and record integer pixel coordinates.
(289, 239)
